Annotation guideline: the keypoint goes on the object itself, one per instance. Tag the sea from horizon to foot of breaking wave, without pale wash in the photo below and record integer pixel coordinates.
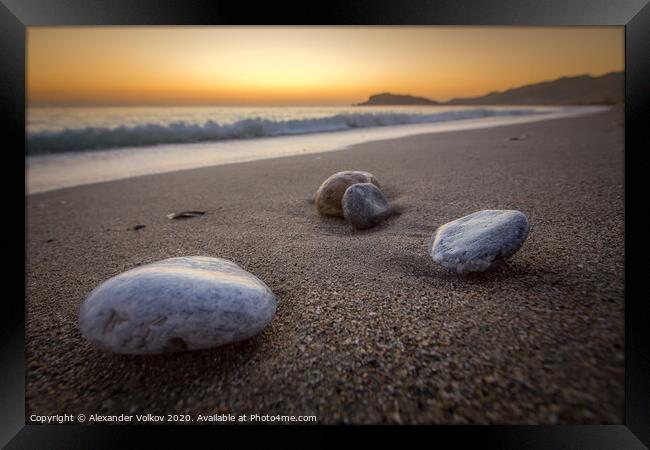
(56, 130)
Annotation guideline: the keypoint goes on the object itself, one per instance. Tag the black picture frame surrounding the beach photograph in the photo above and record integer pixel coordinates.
(16, 15)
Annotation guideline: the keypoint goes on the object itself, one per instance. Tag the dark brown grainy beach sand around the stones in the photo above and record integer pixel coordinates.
(368, 328)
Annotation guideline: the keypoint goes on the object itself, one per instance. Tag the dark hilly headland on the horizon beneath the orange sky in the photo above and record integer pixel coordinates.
(578, 90)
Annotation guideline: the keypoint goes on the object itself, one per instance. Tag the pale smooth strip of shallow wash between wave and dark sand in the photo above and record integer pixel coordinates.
(58, 171)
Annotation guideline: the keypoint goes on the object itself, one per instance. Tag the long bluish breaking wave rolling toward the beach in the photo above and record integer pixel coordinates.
(97, 138)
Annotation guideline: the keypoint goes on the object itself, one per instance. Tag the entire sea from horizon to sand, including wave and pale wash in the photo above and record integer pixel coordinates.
(68, 146)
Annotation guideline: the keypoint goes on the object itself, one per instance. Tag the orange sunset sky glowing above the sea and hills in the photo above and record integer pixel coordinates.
(303, 65)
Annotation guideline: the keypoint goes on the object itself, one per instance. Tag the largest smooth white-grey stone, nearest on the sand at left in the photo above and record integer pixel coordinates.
(176, 304)
